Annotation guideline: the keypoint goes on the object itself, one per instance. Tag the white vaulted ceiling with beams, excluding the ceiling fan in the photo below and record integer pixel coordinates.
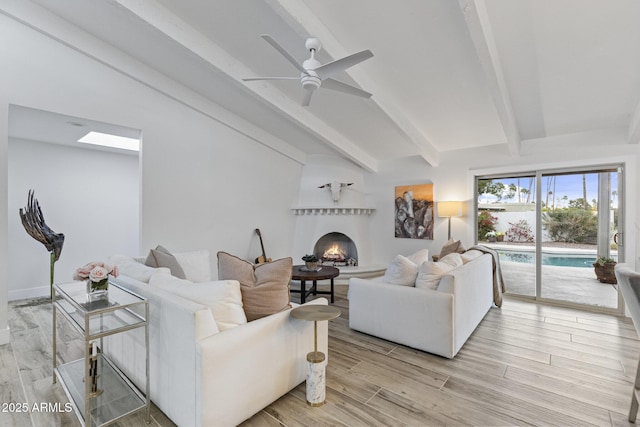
(446, 74)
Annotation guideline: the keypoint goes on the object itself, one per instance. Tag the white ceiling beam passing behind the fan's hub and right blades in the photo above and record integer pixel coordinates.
(305, 22)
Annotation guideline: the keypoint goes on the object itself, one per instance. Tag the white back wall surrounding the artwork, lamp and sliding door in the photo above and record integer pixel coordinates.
(453, 179)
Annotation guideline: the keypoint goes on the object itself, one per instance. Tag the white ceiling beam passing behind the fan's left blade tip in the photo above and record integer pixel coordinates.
(179, 31)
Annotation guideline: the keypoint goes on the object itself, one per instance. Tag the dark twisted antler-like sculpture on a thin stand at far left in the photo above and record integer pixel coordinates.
(33, 222)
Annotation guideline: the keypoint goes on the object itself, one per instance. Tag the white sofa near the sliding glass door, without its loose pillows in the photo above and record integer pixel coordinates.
(438, 321)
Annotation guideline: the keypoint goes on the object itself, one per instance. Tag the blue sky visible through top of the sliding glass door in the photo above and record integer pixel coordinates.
(565, 185)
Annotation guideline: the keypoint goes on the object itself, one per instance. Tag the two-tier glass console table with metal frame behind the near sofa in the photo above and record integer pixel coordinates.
(109, 394)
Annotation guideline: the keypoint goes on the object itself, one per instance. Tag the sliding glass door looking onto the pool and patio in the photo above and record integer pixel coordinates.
(555, 224)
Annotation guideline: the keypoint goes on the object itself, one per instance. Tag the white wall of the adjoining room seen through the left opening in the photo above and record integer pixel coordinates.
(91, 196)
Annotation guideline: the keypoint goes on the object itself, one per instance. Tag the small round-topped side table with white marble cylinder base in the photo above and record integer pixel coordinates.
(316, 368)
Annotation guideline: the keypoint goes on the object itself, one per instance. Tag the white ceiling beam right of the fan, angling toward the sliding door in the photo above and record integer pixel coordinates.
(477, 19)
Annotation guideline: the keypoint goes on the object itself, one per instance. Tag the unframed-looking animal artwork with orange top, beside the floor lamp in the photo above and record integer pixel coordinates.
(414, 211)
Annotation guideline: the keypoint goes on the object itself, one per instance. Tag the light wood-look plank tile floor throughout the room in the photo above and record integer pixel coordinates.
(526, 364)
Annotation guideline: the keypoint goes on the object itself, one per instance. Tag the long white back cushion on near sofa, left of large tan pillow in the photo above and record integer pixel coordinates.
(223, 297)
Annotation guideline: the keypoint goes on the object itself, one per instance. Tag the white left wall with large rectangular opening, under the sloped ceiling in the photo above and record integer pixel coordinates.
(203, 184)
